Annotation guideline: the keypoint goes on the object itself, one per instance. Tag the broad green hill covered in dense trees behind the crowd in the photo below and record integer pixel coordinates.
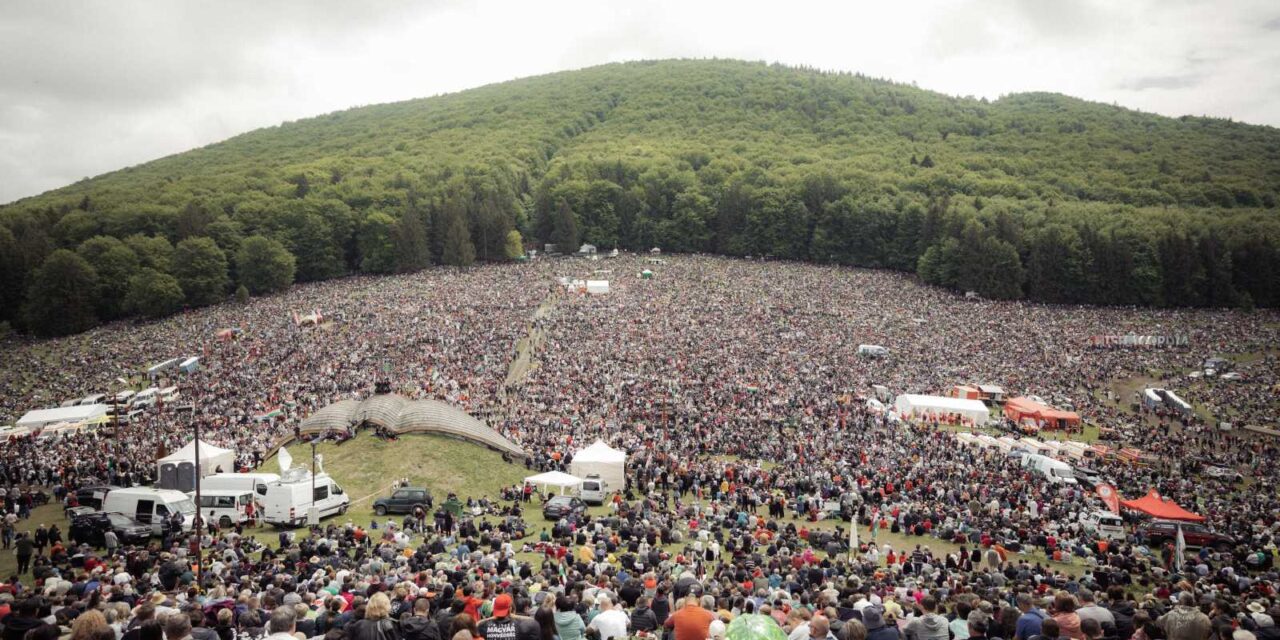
(1035, 195)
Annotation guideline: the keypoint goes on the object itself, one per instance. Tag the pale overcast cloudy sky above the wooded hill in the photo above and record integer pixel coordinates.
(93, 86)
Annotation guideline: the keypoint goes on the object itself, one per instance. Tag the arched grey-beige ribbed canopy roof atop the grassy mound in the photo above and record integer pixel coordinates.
(401, 415)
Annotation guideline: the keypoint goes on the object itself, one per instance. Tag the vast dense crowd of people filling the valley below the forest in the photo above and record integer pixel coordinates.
(739, 395)
